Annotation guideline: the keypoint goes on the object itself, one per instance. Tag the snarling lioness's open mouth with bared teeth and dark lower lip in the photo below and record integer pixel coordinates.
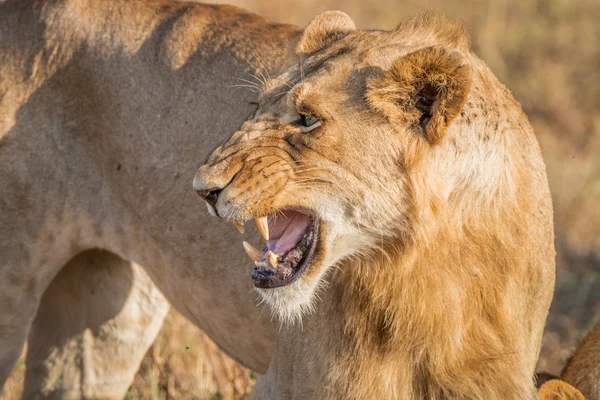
(291, 237)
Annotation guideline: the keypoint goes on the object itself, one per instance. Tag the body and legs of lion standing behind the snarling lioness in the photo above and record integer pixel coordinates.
(105, 110)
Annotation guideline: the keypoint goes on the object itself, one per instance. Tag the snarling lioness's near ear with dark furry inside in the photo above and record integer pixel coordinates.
(425, 89)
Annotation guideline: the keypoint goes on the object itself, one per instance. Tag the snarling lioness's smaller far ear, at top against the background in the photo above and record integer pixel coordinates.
(323, 30)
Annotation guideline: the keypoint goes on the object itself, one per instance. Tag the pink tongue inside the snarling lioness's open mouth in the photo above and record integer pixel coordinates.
(286, 229)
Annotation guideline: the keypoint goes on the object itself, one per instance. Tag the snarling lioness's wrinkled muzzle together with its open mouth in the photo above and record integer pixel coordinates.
(256, 175)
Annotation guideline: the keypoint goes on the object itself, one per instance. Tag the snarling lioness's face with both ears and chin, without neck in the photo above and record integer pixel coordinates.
(324, 164)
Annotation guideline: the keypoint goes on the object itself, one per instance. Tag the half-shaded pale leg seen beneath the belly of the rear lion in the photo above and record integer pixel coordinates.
(95, 323)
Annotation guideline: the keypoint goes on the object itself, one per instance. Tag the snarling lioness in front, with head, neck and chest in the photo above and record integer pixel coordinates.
(407, 217)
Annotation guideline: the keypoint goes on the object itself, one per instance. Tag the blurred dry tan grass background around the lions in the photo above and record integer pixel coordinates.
(548, 54)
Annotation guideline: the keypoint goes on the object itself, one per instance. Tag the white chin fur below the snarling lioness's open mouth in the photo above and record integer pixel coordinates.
(290, 303)
